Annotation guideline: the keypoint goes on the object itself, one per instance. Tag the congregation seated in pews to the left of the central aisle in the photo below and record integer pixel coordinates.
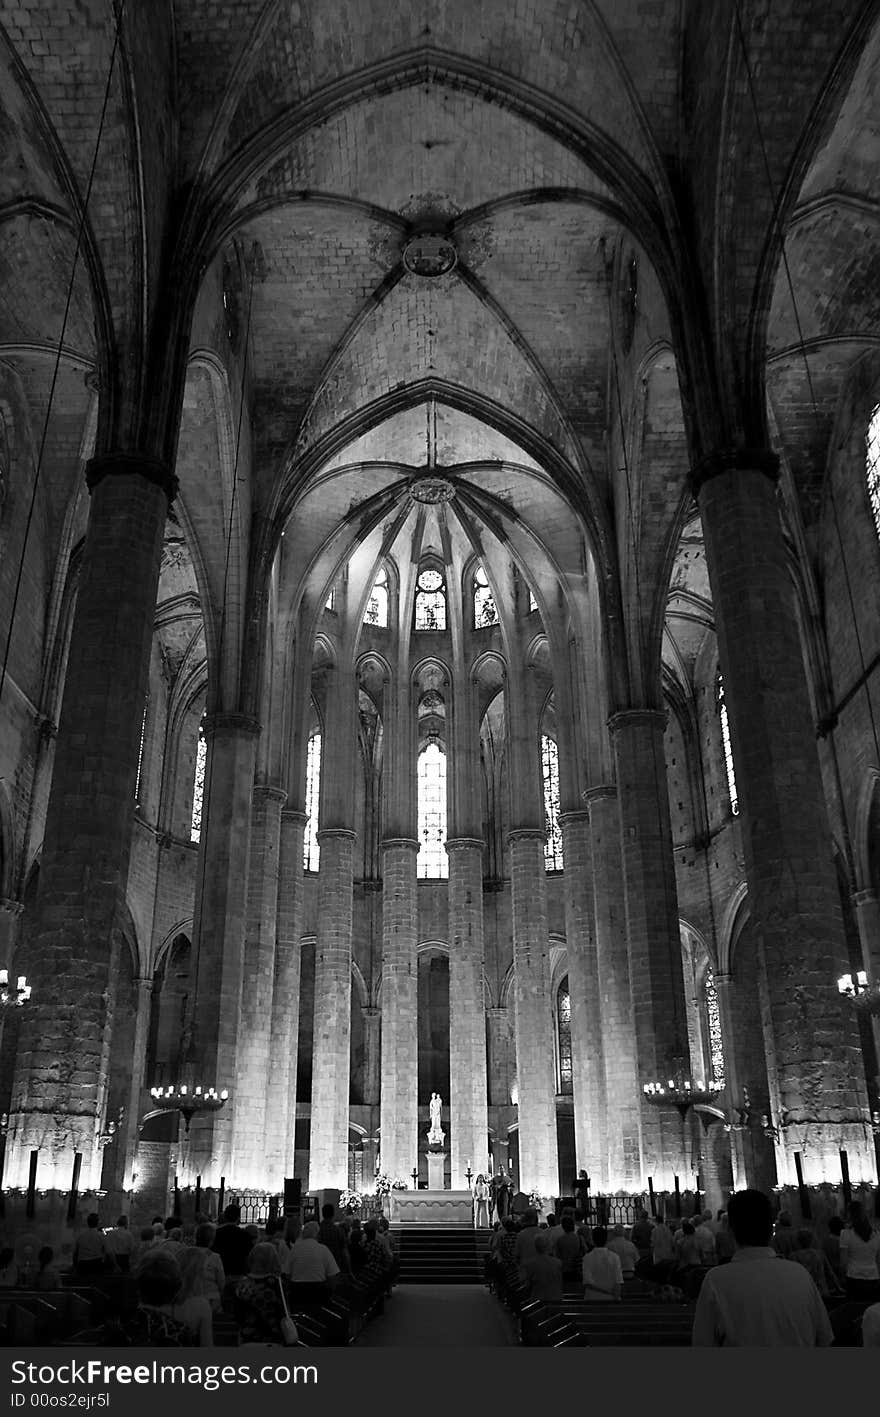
(203, 1285)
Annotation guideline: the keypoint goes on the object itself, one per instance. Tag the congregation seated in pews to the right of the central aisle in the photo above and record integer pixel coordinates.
(568, 1266)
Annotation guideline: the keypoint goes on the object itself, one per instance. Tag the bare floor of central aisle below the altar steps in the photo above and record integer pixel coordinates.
(447, 1316)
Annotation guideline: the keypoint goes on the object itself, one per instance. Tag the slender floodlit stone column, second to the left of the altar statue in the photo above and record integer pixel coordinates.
(332, 1056)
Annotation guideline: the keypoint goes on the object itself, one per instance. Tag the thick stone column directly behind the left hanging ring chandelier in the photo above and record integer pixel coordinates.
(210, 1055)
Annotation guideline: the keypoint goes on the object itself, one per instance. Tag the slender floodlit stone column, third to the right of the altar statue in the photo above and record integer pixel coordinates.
(587, 1061)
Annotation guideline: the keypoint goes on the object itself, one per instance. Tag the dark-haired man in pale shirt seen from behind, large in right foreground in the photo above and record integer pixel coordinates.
(759, 1300)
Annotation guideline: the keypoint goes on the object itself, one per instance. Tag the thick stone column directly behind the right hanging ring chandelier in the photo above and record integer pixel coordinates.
(653, 925)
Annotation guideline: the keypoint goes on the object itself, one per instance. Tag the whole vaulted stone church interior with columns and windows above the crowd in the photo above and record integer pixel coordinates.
(440, 585)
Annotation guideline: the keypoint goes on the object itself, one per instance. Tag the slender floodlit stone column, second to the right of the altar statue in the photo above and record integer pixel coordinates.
(535, 1049)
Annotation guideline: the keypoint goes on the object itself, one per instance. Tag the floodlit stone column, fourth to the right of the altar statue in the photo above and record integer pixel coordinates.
(624, 1168)
